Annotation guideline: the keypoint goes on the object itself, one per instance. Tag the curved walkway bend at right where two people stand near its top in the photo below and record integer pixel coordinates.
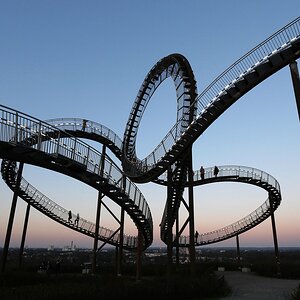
(233, 174)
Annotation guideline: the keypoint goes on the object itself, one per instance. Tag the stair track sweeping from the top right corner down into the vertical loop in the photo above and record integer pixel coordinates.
(258, 64)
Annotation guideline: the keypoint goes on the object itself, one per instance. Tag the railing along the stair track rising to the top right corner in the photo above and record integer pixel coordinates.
(278, 41)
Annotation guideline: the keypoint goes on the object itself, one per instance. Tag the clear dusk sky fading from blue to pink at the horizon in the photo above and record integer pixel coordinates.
(87, 59)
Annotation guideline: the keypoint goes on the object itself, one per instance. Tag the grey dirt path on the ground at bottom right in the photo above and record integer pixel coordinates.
(249, 286)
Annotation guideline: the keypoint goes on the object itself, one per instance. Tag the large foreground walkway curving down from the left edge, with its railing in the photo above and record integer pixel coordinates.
(32, 141)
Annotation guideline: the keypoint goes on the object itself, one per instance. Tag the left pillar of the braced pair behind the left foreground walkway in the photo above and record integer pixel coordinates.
(98, 212)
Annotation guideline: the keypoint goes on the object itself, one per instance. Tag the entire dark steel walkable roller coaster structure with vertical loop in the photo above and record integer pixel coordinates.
(57, 145)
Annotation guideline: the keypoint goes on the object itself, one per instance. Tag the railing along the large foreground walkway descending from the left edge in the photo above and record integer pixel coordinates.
(19, 128)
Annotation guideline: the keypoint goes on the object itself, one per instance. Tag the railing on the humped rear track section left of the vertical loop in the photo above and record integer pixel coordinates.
(87, 126)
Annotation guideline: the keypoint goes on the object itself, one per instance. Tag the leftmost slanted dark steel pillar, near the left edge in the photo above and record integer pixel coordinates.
(11, 217)
